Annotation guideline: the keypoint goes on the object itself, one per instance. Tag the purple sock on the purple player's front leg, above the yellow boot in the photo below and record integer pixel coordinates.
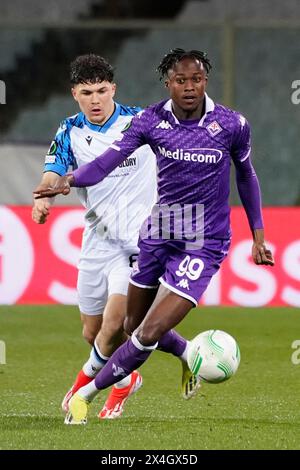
(124, 360)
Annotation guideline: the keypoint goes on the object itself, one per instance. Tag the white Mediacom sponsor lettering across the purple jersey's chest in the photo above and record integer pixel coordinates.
(200, 155)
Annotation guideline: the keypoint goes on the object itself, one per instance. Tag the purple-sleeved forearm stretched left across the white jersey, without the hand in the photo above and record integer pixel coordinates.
(95, 171)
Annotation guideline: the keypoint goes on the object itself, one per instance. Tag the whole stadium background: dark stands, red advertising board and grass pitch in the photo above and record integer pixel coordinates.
(254, 49)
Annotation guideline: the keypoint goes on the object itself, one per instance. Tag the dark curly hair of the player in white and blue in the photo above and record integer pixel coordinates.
(90, 68)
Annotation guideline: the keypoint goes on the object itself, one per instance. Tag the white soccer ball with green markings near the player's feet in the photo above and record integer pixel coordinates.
(213, 356)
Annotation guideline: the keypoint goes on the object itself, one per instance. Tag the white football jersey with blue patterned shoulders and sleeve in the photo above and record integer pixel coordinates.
(118, 205)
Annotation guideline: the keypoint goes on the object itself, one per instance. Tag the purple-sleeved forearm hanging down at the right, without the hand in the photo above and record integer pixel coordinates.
(249, 191)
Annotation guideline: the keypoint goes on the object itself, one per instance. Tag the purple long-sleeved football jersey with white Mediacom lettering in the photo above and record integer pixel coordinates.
(193, 160)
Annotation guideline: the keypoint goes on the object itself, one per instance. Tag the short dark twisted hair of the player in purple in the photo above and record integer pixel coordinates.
(176, 55)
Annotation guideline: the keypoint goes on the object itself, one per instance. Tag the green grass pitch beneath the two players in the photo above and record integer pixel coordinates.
(259, 408)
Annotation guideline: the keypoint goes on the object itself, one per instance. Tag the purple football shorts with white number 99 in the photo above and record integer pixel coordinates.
(183, 271)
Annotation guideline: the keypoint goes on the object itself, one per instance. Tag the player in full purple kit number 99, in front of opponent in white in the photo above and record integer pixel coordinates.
(194, 140)
